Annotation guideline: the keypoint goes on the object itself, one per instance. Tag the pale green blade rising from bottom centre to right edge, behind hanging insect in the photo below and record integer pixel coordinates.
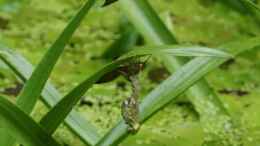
(175, 85)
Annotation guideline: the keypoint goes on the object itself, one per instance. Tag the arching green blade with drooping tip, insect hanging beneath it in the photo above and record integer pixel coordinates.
(58, 113)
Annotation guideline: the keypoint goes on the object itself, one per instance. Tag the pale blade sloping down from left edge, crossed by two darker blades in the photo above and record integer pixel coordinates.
(23, 69)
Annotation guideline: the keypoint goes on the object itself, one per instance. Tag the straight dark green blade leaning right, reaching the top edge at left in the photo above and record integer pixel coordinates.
(33, 87)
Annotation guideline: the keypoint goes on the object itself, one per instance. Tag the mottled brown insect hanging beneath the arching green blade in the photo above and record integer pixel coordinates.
(130, 106)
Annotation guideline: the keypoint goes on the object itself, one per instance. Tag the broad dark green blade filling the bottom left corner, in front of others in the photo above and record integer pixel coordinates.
(20, 125)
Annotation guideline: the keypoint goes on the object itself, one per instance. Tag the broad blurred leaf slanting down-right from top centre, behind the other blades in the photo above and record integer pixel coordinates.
(150, 26)
